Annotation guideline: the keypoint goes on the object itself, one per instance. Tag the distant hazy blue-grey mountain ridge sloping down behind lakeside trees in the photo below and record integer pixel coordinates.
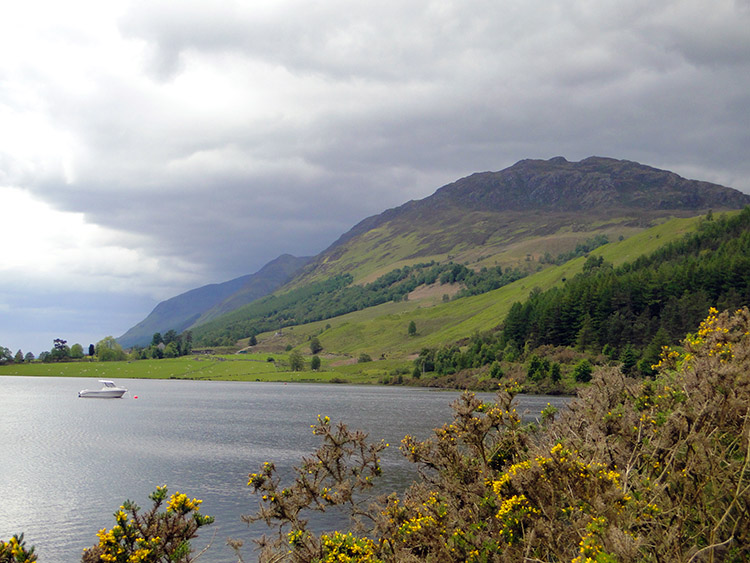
(204, 303)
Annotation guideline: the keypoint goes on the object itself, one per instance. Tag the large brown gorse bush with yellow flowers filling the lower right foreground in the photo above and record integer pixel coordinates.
(634, 470)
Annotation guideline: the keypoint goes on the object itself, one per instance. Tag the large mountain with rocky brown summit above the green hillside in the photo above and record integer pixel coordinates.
(531, 207)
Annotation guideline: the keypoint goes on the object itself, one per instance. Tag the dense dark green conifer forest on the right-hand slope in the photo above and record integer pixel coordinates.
(645, 304)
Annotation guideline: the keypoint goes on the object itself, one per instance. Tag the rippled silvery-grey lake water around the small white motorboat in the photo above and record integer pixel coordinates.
(66, 464)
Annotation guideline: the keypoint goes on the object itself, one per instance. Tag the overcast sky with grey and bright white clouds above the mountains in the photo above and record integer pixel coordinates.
(151, 147)
